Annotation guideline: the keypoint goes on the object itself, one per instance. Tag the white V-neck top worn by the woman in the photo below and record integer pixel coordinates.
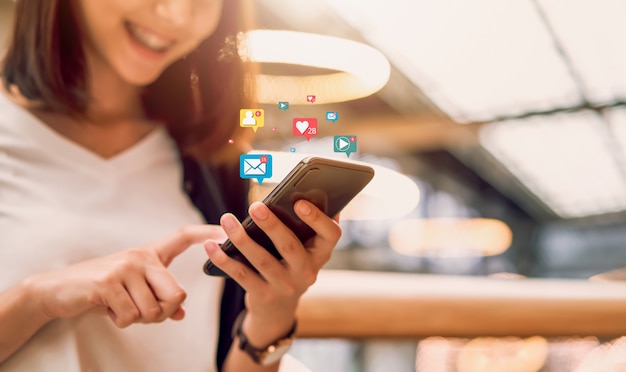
(61, 204)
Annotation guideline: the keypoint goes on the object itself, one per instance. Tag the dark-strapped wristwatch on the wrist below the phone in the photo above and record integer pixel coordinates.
(269, 354)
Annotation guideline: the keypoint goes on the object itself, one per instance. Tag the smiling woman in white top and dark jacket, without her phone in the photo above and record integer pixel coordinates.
(104, 106)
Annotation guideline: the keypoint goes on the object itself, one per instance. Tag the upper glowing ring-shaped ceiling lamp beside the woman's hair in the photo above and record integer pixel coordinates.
(360, 69)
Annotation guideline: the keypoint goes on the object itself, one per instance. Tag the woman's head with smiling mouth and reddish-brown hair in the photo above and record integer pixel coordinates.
(93, 48)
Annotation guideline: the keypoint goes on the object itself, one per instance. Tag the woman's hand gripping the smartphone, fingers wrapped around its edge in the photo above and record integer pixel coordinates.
(273, 293)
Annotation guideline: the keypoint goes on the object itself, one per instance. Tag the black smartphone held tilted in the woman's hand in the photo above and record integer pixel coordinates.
(327, 183)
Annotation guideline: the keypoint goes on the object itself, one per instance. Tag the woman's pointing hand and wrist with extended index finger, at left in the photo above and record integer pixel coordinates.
(133, 286)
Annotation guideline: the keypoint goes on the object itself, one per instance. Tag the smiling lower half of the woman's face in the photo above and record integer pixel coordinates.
(138, 39)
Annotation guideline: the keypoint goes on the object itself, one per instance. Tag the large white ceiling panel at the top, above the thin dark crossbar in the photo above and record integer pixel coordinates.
(477, 60)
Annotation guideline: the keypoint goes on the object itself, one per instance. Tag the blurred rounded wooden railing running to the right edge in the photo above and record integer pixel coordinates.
(353, 304)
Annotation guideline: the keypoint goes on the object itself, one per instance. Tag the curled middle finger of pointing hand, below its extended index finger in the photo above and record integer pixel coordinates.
(168, 292)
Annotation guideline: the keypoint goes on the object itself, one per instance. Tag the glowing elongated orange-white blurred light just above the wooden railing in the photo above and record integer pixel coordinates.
(450, 237)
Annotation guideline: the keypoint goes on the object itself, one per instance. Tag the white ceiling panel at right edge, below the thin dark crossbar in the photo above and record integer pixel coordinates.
(564, 159)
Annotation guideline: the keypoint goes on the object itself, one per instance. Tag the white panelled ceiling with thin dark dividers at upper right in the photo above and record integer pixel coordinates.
(546, 79)
